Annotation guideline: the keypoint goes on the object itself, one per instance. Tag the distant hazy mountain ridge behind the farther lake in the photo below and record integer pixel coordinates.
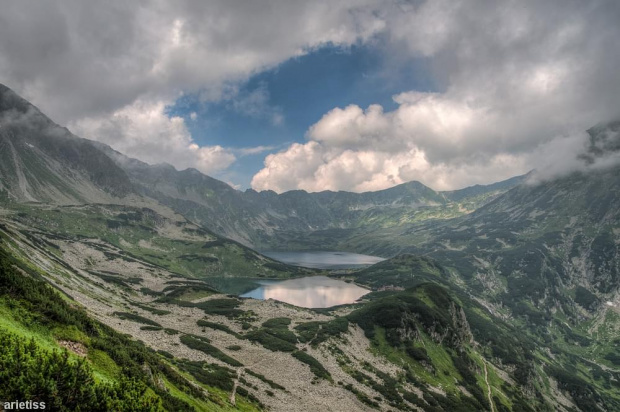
(297, 219)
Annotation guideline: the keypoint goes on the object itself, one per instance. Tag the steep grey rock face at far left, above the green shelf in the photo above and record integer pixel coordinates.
(43, 162)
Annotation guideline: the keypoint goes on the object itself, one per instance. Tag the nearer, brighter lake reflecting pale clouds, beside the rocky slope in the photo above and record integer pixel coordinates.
(309, 292)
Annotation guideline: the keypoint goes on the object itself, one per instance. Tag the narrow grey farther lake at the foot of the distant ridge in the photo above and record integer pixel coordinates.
(324, 260)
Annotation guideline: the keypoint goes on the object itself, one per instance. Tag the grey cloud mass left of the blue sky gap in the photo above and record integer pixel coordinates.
(109, 68)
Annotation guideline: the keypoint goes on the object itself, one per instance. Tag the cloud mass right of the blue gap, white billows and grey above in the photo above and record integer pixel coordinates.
(520, 83)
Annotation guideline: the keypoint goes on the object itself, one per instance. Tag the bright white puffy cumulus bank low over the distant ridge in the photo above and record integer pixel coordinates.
(430, 138)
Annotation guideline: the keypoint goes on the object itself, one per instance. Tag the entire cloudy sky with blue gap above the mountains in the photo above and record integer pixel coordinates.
(353, 95)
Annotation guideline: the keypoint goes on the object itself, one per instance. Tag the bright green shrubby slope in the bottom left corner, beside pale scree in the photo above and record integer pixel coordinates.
(108, 370)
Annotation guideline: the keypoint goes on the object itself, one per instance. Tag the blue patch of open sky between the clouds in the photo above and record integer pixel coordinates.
(275, 108)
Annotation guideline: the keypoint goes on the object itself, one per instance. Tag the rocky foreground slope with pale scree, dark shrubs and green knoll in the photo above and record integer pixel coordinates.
(430, 347)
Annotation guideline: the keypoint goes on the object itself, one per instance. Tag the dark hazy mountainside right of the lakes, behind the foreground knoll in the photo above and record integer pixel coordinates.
(540, 247)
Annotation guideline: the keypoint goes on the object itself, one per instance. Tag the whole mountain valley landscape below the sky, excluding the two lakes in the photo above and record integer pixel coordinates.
(119, 286)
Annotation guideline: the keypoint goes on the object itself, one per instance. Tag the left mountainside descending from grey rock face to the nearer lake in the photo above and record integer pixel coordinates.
(54, 185)
